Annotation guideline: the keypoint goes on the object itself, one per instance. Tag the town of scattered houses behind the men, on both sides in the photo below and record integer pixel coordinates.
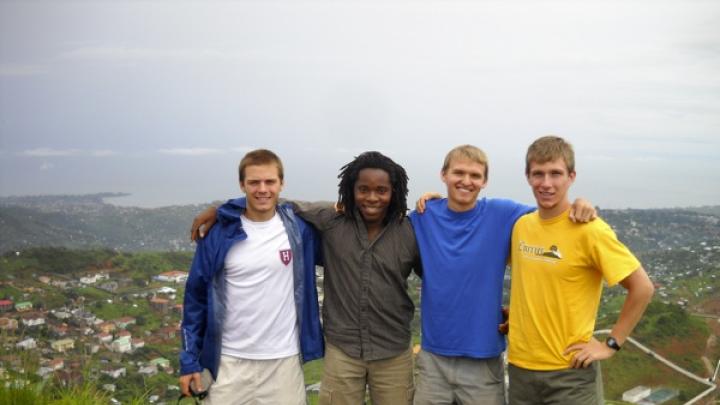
(131, 355)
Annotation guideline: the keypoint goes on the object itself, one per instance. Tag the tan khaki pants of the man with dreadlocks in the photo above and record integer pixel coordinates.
(344, 379)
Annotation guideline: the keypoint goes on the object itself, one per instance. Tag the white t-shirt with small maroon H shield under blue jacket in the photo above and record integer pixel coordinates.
(260, 320)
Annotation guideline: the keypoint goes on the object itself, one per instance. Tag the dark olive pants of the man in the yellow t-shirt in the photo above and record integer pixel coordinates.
(573, 386)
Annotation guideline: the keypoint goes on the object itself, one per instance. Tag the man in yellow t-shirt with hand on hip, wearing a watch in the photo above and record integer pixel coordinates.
(557, 272)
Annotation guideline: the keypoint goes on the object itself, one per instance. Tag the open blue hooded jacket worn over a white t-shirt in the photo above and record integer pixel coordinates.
(205, 296)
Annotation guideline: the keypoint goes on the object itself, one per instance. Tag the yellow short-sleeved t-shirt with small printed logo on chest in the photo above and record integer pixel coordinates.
(557, 272)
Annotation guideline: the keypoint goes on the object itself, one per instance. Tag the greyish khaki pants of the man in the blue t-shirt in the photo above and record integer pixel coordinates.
(445, 380)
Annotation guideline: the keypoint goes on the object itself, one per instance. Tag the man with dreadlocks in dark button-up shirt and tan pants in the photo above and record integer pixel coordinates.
(369, 251)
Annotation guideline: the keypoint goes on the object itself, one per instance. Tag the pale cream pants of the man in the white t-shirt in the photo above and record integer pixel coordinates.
(258, 382)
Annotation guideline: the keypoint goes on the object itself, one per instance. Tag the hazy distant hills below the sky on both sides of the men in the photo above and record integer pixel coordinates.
(86, 221)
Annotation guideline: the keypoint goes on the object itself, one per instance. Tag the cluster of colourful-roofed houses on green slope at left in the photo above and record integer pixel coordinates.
(59, 341)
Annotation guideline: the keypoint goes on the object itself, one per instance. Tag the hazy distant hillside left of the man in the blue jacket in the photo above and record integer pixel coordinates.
(88, 222)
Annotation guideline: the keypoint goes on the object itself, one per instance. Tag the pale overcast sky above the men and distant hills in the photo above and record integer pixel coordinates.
(161, 99)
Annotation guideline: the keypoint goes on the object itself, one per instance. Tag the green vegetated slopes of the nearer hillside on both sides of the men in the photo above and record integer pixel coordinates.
(47, 277)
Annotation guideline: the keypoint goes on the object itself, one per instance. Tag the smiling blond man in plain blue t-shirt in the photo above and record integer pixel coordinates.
(464, 247)
